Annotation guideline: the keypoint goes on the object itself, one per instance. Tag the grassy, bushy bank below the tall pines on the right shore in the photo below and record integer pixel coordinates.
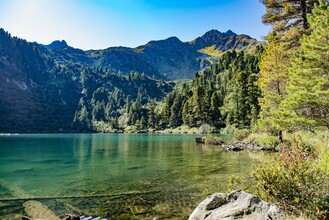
(297, 177)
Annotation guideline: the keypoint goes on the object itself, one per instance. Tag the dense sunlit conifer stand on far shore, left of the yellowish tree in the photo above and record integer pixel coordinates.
(221, 95)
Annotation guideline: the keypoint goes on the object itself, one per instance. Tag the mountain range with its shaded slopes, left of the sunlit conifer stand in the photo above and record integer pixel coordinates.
(59, 88)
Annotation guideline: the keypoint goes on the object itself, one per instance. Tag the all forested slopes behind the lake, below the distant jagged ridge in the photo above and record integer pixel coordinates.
(39, 94)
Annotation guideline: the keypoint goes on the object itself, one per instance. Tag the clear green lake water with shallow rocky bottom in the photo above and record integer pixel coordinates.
(141, 176)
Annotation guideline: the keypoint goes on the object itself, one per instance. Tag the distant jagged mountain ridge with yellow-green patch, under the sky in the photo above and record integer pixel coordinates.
(163, 59)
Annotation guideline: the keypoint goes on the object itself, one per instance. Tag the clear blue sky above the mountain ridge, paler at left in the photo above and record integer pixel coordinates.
(96, 24)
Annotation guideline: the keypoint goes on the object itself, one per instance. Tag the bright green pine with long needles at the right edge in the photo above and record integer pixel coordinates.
(307, 103)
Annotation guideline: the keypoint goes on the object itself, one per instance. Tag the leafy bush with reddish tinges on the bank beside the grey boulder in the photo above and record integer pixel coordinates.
(293, 180)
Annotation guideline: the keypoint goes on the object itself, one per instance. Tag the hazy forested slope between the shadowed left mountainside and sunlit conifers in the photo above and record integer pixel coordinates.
(111, 102)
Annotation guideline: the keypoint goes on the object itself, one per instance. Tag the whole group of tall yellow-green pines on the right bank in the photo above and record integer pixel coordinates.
(291, 85)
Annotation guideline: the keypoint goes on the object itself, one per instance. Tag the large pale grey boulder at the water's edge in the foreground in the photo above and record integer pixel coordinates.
(236, 205)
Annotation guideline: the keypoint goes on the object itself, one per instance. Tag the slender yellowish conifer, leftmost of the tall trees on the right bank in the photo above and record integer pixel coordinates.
(273, 79)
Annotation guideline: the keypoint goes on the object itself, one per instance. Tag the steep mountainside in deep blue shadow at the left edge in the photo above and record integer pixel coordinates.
(33, 96)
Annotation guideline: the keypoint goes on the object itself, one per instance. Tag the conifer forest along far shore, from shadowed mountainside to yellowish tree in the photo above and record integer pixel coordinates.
(222, 95)
